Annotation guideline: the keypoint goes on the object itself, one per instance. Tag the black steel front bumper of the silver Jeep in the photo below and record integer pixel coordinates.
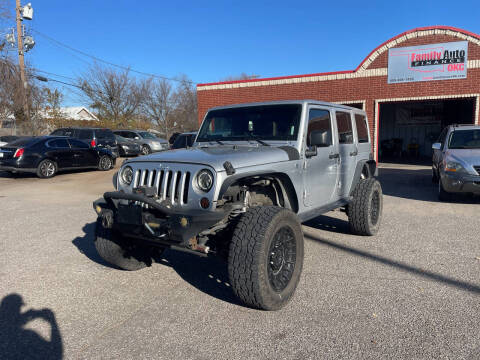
(139, 216)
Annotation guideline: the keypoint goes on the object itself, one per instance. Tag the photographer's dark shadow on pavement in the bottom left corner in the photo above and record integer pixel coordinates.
(19, 342)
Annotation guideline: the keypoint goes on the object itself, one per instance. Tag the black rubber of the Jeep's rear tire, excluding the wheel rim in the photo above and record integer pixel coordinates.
(358, 209)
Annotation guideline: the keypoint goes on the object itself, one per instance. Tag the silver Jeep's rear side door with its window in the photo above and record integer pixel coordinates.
(347, 149)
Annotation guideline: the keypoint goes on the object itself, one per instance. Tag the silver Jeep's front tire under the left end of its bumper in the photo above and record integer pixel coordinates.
(118, 251)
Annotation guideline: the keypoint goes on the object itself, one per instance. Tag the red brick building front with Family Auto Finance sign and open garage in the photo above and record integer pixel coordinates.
(411, 86)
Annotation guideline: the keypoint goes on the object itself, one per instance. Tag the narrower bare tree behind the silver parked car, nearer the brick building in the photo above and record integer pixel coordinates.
(160, 103)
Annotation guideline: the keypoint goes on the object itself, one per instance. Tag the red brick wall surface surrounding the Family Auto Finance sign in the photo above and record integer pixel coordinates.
(366, 88)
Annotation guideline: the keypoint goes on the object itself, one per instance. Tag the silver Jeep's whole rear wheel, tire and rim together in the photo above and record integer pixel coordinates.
(365, 210)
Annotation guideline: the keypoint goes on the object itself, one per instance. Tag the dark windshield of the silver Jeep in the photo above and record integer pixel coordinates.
(267, 122)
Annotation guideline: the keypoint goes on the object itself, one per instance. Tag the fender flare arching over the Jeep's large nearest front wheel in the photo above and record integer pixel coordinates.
(281, 179)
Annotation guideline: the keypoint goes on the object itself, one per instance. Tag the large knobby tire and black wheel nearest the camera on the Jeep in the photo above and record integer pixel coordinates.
(266, 257)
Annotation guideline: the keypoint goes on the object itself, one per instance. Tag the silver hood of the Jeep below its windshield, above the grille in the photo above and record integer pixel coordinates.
(240, 156)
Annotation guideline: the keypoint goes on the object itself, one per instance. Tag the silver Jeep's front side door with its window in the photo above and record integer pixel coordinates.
(321, 159)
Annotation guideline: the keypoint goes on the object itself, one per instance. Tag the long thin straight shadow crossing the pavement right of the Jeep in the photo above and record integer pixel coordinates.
(462, 285)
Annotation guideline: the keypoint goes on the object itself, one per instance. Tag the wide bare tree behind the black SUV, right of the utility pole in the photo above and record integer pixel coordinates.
(115, 95)
